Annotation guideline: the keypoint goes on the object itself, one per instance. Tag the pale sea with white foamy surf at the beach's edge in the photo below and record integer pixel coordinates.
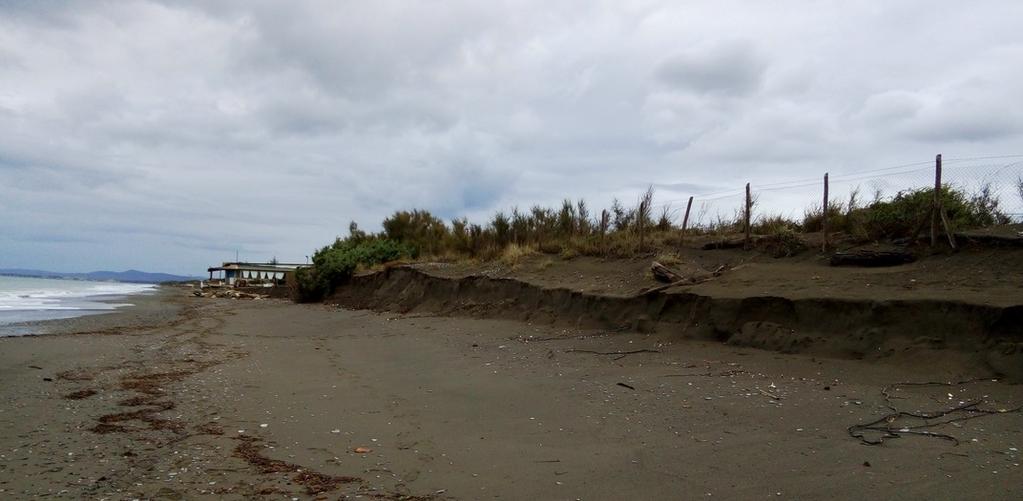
(30, 300)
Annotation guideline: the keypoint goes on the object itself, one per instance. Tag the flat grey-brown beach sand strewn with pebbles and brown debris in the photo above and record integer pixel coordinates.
(189, 398)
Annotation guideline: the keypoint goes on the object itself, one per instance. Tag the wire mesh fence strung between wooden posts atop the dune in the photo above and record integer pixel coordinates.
(998, 179)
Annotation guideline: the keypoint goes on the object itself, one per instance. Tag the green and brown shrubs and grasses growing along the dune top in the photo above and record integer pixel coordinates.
(574, 230)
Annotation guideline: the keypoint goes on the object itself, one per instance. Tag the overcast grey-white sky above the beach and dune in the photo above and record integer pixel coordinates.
(168, 136)
